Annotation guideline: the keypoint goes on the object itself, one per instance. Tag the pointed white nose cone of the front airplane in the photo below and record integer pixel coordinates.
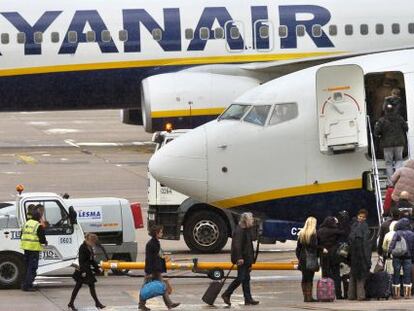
(182, 164)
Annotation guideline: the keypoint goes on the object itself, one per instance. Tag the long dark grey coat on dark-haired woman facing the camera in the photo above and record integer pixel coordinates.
(360, 250)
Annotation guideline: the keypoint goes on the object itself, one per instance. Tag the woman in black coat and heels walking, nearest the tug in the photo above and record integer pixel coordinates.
(88, 267)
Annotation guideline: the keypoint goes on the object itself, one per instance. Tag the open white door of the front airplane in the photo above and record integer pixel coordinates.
(340, 93)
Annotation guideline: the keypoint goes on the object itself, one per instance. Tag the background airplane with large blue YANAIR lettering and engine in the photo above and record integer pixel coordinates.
(181, 62)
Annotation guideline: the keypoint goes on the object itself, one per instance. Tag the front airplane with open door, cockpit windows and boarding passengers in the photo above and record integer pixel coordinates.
(297, 146)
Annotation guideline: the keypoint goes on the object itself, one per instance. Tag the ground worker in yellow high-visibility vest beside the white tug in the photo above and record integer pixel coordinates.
(32, 238)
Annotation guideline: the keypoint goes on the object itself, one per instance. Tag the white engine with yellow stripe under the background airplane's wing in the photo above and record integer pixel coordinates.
(185, 100)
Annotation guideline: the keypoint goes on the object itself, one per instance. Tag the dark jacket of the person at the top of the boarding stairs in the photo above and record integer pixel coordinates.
(391, 129)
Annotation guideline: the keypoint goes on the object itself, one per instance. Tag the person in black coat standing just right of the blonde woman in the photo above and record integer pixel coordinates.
(329, 235)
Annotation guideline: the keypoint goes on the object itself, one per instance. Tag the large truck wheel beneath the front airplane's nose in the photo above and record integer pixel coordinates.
(205, 232)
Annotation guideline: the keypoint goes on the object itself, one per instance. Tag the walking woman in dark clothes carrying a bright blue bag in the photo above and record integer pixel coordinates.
(155, 266)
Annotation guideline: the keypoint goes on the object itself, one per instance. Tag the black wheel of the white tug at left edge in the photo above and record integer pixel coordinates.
(12, 271)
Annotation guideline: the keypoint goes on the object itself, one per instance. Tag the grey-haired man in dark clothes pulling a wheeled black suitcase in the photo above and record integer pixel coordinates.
(242, 254)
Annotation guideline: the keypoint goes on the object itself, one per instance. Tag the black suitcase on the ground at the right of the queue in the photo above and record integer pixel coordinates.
(378, 285)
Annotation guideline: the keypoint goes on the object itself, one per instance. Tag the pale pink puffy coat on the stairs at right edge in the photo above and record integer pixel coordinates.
(403, 180)
